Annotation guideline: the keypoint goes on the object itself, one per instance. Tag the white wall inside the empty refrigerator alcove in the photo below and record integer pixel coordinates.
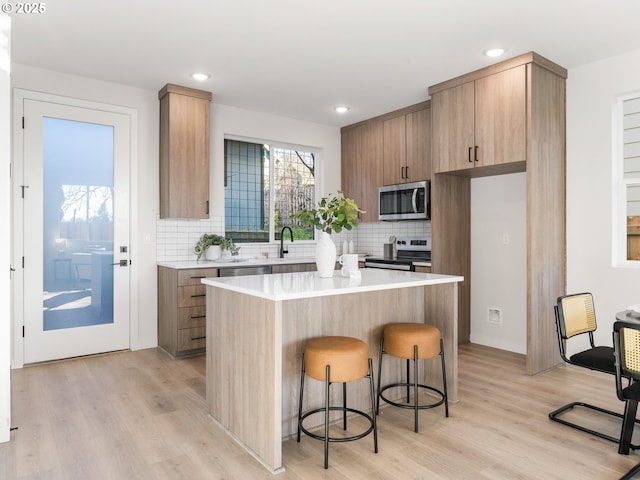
(499, 261)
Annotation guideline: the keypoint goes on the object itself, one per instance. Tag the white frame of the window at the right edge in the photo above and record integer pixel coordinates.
(621, 186)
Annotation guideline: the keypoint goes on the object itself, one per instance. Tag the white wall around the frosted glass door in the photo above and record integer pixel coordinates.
(144, 184)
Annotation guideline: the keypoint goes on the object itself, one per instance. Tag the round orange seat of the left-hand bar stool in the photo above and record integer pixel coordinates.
(347, 357)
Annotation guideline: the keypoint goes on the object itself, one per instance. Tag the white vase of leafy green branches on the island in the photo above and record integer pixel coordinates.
(333, 214)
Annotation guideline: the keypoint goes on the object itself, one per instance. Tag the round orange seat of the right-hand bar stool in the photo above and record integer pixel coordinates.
(400, 338)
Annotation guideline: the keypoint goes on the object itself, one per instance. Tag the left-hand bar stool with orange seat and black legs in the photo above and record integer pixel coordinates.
(337, 360)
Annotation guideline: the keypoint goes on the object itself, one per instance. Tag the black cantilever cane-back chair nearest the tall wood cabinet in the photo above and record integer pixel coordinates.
(575, 317)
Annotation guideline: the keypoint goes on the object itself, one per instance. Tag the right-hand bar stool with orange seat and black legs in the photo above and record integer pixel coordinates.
(412, 341)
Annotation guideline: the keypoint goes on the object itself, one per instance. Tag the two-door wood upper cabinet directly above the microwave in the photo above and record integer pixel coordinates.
(407, 149)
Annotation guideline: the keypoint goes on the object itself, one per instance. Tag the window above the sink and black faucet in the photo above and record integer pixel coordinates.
(264, 185)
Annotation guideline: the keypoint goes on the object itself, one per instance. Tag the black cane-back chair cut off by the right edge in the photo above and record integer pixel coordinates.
(626, 343)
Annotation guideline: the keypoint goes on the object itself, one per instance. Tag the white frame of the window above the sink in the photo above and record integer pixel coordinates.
(290, 146)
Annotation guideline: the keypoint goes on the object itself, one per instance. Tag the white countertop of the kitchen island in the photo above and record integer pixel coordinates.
(289, 286)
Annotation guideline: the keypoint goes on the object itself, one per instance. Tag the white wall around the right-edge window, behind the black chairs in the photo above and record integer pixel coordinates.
(591, 92)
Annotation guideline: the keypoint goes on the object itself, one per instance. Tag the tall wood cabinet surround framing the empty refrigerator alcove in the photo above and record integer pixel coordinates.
(506, 118)
